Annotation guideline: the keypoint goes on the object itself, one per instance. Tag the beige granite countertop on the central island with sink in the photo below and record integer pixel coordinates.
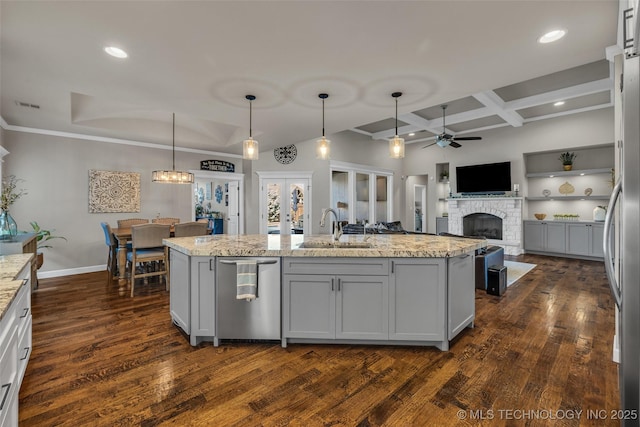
(382, 245)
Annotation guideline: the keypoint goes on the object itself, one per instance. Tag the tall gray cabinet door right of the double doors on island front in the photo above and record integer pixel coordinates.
(417, 299)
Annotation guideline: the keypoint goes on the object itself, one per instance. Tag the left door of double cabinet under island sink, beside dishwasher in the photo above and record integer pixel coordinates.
(309, 306)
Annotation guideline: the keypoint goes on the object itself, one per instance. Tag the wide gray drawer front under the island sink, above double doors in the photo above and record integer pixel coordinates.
(356, 266)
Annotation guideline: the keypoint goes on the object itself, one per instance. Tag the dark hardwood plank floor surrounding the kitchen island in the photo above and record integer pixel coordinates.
(541, 351)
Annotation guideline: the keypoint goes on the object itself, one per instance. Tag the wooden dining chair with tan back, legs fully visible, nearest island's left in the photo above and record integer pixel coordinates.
(147, 248)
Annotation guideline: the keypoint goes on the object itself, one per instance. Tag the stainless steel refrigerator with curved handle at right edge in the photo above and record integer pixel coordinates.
(622, 227)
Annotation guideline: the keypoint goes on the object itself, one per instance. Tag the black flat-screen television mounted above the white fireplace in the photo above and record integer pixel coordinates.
(491, 178)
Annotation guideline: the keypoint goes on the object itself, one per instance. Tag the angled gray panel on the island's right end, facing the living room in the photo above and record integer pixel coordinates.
(461, 298)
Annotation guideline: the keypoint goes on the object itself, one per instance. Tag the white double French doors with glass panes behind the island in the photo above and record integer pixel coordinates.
(285, 204)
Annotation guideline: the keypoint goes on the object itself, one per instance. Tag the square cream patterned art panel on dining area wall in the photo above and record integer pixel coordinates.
(113, 191)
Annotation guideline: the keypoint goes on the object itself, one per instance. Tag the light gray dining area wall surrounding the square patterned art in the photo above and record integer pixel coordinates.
(55, 174)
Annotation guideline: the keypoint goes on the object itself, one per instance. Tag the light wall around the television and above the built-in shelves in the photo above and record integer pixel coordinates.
(509, 144)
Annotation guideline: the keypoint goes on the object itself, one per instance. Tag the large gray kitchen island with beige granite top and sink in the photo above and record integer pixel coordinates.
(375, 289)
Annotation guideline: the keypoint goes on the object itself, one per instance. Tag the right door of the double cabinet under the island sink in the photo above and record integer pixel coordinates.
(362, 307)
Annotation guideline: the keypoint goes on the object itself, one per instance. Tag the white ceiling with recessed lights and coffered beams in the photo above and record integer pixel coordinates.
(200, 59)
